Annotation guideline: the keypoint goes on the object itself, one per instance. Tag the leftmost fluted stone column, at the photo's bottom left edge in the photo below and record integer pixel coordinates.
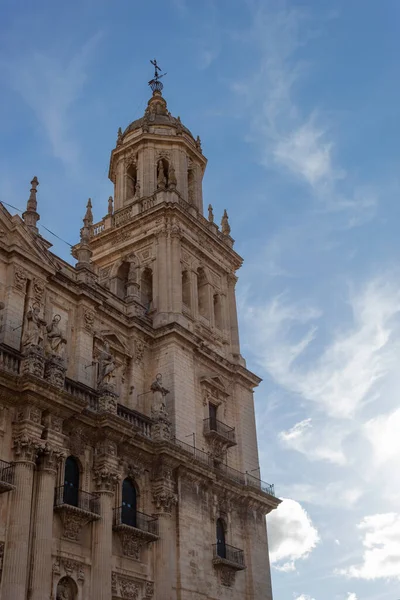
(15, 571)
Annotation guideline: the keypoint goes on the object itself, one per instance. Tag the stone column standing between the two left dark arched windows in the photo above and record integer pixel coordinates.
(106, 477)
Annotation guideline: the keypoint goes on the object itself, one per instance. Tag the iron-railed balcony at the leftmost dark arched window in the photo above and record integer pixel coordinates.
(76, 509)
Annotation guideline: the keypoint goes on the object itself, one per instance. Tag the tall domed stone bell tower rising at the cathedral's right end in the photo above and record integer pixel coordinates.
(174, 272)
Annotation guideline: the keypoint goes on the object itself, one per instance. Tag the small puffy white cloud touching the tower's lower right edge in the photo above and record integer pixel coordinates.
(291, 534)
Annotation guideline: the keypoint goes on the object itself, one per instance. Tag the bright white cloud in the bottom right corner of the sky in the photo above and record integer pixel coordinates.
(381, 541)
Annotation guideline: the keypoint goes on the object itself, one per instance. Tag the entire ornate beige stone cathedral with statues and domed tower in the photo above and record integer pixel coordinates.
(129, 466)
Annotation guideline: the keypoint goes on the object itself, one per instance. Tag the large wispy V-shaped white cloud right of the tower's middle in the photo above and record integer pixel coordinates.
(344, 375)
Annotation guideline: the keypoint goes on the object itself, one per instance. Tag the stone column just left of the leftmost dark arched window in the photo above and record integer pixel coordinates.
(43, 532)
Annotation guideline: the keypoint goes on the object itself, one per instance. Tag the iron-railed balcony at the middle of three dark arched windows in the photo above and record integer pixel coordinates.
(135, 529)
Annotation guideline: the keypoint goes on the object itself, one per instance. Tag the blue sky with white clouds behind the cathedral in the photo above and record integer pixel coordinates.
(297, 105)
